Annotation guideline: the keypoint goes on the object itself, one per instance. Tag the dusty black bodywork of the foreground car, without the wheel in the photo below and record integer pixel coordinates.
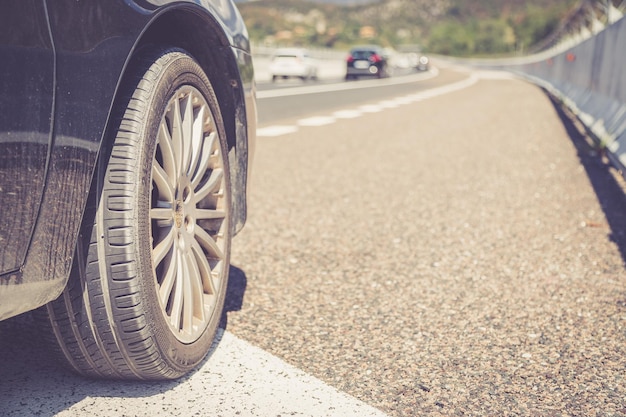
(82, 51)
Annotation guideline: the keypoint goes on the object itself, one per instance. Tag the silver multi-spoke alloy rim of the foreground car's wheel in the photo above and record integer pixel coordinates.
(188, 215)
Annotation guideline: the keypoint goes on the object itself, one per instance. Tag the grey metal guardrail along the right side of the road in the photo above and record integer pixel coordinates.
(590, 79)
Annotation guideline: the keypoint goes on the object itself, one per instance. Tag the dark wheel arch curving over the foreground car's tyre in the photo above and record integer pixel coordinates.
(204, 39)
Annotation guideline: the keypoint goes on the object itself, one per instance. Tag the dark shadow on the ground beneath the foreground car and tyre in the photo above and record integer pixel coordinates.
(32, 382)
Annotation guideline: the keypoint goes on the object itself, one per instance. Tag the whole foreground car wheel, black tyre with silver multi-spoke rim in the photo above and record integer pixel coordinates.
(149, 276)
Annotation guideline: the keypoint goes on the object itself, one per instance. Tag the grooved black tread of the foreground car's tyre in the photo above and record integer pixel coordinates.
(109, 336)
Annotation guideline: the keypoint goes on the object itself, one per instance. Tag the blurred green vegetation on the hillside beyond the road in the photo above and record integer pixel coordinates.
(452, 27)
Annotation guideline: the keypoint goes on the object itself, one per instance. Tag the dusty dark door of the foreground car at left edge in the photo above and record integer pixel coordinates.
(26, 107)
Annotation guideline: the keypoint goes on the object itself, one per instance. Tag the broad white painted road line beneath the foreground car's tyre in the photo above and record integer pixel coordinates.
(237, 380)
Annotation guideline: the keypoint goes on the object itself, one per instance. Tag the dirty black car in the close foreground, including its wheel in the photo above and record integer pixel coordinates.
(126, 131)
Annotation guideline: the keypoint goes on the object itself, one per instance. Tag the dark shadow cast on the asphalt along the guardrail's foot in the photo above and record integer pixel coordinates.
(607, 186)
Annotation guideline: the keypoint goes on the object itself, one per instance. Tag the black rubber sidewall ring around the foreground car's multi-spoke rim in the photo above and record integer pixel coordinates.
(179, 71)
